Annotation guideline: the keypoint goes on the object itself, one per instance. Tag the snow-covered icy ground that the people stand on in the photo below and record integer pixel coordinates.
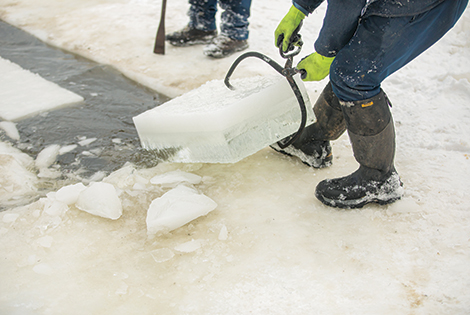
(269, 247)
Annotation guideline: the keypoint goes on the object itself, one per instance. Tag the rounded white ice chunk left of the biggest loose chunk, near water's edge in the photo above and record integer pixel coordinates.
(100, 199)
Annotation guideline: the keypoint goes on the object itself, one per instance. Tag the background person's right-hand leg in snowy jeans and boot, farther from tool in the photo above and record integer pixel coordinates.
(233, 29)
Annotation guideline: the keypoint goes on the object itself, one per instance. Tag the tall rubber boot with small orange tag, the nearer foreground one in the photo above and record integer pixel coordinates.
(372, 135)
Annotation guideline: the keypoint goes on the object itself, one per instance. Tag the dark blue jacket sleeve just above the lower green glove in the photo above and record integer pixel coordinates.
(339, 25)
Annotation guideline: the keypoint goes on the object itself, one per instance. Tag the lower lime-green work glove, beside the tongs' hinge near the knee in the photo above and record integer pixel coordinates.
(315, 67)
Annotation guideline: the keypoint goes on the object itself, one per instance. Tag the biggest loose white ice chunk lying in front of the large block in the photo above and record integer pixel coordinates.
(176, 208)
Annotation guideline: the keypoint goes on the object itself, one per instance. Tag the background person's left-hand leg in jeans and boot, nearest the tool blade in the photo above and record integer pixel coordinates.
(201, 28)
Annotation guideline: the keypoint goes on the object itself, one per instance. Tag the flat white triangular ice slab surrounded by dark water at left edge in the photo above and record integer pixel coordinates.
(24, 93)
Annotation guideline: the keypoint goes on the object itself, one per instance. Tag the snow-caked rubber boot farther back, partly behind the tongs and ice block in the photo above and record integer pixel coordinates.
(313, 146)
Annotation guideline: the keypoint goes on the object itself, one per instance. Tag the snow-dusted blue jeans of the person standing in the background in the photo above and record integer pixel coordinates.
(234, 19)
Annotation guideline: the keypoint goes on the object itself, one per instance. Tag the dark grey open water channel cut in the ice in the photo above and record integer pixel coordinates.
(111, 100)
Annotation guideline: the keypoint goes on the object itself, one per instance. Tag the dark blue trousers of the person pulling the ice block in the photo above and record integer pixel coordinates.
(383, 45)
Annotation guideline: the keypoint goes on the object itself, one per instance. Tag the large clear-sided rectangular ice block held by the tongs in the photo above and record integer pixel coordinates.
(213, 124)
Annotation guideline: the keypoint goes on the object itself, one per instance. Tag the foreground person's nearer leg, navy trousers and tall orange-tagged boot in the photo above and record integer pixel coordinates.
(379, 47)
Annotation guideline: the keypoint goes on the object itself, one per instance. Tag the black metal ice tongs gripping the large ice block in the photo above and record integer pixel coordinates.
(294, 47)
